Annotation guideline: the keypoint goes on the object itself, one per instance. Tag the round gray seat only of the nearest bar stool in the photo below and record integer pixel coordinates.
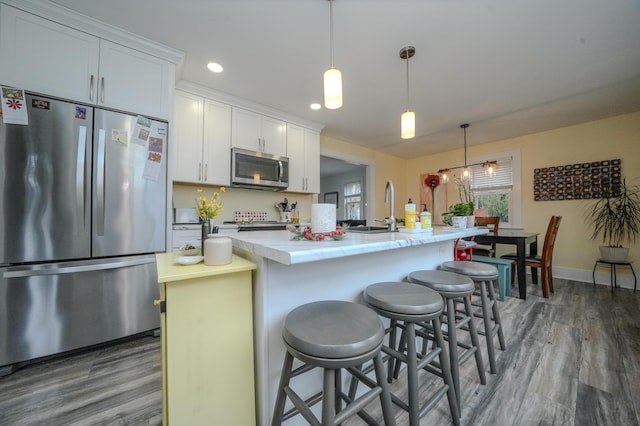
(319, 330)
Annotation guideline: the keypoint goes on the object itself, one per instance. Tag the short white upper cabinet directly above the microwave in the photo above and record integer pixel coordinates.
(258, 132)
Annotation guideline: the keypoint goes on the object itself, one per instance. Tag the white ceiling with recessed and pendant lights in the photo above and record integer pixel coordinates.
(507, 67)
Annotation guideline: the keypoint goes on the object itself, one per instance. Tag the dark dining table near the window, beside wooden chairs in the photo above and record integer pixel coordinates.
(520, 239)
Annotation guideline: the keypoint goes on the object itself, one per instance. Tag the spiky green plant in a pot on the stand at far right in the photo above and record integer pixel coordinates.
(616, 217)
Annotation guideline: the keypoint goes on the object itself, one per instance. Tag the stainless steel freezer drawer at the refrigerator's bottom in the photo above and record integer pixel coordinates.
(54, 308)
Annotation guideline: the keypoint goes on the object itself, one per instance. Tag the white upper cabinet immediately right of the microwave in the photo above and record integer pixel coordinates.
(303, 150)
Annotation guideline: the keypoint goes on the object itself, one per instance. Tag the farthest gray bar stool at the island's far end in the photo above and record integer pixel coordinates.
(484, 275)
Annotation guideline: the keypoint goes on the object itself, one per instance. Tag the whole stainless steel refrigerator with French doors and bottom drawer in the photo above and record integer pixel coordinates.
(82, 212)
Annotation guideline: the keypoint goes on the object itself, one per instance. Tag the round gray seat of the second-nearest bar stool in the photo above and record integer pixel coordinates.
(403, 300)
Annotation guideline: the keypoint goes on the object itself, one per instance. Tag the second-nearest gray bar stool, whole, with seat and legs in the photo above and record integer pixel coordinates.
(414, 305)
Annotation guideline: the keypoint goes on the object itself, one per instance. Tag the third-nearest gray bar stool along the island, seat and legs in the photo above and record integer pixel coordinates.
(455, 288)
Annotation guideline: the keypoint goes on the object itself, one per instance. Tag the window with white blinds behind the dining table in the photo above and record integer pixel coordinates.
(499, 194)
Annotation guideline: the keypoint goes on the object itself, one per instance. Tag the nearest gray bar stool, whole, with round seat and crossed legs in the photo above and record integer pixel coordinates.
(333, 335)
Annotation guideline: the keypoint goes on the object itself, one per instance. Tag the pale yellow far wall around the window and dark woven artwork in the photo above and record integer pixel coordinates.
(616, 137)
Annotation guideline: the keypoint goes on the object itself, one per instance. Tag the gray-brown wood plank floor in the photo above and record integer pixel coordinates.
(573, 359)
